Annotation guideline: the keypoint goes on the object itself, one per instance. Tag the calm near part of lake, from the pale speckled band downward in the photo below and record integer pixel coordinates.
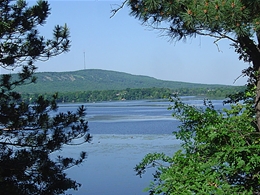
(109, 168)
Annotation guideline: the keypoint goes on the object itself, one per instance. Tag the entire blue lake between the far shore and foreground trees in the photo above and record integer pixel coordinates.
(123, 133)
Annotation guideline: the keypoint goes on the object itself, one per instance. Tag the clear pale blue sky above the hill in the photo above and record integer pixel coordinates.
(123, 44)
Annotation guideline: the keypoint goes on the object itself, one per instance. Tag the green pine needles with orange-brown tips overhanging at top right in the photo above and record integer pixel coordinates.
(188, 18)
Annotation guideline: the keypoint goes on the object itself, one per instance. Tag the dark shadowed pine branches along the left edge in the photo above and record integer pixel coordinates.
(30, 132)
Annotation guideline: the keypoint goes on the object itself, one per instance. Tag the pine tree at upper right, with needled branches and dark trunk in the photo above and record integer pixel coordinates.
(235, 20)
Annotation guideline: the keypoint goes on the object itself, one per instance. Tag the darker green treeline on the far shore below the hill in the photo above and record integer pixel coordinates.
(135, 94)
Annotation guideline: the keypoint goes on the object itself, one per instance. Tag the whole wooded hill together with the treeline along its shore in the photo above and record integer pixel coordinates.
(80, 86)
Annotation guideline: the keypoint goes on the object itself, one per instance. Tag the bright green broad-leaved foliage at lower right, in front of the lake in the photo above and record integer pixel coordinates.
(220, 153)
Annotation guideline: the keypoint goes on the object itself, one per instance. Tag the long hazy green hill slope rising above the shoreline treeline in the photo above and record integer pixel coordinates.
(94, 79)
